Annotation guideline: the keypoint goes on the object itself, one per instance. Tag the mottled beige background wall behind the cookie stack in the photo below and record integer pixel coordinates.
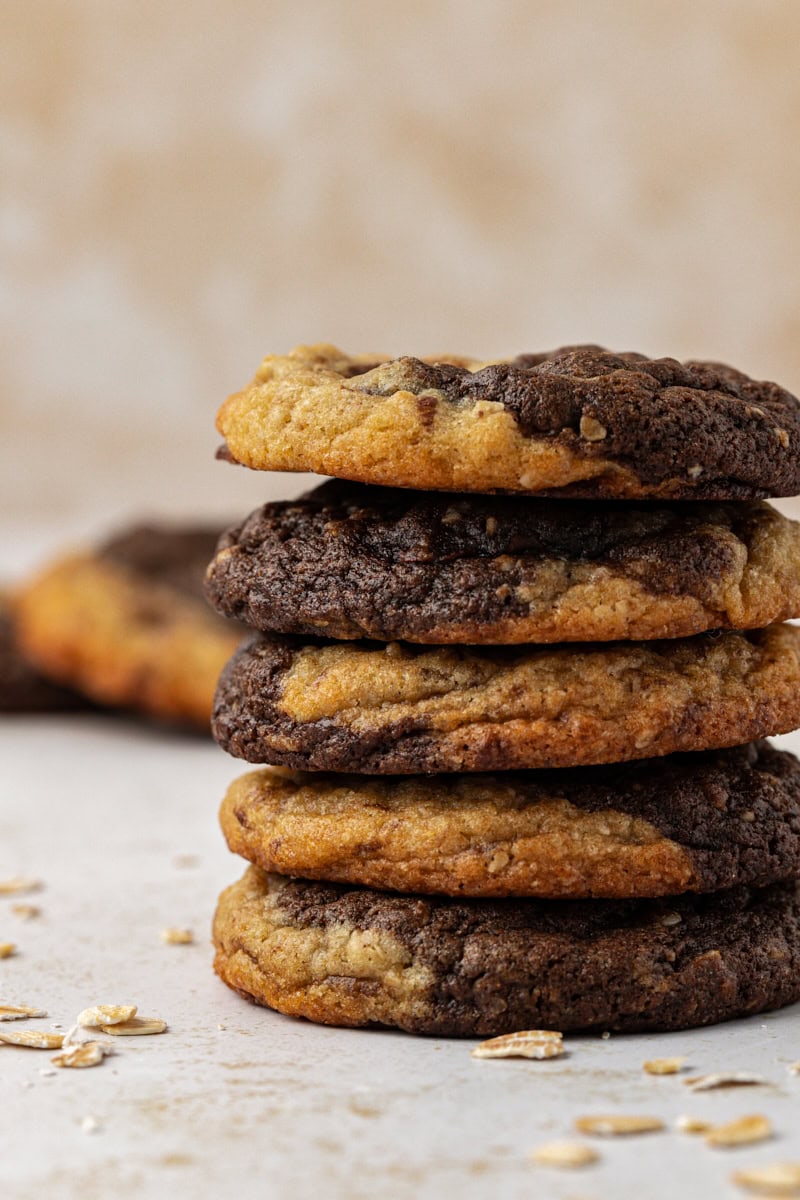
(189, 187)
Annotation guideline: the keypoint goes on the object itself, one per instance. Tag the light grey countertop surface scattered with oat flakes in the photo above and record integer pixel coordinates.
(105, 813)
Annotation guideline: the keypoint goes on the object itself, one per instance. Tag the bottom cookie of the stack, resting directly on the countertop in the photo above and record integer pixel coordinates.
(354, 957)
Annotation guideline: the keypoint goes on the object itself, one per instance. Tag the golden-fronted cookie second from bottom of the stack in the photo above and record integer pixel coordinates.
(697, 823)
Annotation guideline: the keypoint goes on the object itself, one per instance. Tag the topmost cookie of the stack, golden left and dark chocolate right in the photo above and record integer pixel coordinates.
(580, 421)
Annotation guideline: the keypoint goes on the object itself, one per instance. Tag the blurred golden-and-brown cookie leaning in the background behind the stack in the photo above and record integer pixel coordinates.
(129, 627)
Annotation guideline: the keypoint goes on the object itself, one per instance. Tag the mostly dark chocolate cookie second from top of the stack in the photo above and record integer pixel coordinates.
(350, 562)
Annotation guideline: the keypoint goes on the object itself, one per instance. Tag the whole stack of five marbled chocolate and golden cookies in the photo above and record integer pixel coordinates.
(519, 682)
